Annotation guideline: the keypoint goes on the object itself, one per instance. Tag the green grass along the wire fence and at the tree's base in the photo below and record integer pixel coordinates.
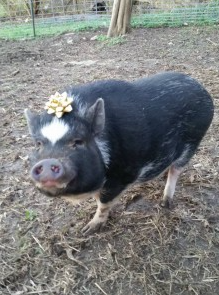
(203, 15)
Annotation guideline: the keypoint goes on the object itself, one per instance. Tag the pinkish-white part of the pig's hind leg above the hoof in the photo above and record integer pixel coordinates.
(172, 178)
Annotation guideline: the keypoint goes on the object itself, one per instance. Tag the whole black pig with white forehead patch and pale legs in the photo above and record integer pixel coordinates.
(119, 133)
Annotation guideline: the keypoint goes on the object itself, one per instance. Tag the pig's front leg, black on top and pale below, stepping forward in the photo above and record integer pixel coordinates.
(106, 199)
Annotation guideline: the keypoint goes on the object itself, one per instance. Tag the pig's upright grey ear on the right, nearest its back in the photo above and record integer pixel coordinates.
(96, 116)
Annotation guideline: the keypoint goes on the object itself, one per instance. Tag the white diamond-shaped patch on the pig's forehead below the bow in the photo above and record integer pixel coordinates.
(55, 130)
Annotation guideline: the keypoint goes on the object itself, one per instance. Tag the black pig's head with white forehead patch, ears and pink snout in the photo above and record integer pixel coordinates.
(68, 158)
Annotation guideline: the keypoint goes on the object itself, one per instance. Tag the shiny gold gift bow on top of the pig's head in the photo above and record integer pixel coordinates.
(58, 104)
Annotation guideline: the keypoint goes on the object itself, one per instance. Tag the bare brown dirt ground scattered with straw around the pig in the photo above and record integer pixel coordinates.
(144, 249)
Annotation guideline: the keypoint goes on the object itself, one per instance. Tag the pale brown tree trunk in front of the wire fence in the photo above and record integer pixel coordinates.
(121, 17)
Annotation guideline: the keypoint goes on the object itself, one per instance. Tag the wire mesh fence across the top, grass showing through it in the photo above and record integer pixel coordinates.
(56, 16)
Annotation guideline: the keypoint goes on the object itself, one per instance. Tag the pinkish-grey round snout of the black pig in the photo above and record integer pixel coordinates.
(47, 170)
